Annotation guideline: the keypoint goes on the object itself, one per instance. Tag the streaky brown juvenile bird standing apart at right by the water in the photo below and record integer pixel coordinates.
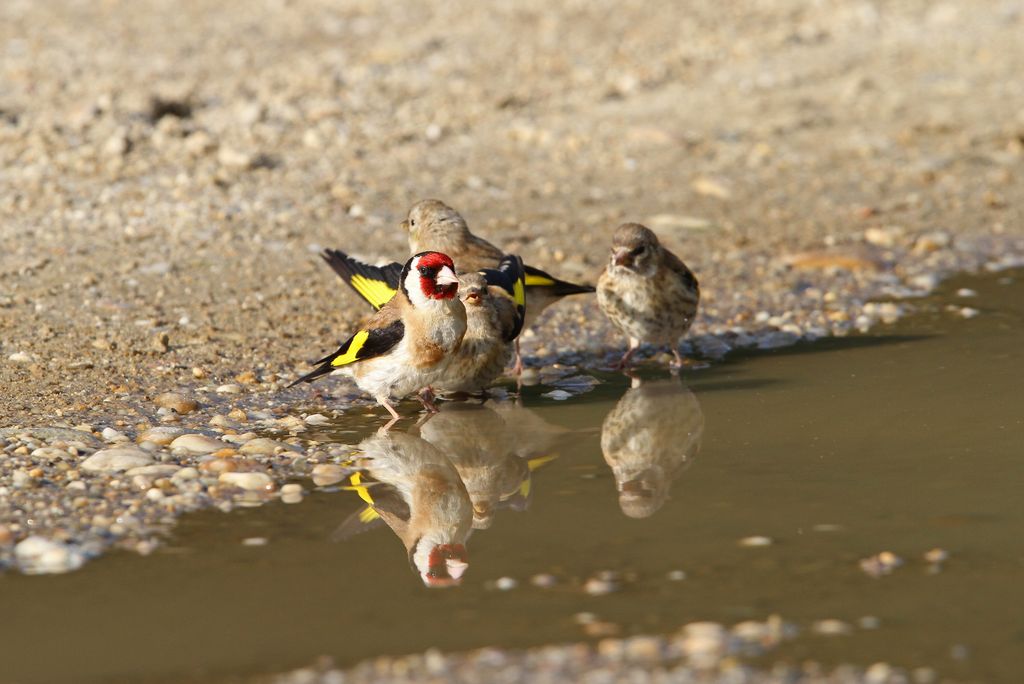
(647, 291)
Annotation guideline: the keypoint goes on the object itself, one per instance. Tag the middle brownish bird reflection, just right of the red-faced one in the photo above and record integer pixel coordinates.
(484, 449)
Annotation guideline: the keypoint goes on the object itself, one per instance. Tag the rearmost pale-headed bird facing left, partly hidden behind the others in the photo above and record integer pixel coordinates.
(433, 225)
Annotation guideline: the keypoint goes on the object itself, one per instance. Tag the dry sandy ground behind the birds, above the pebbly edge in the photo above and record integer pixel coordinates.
(169, 170)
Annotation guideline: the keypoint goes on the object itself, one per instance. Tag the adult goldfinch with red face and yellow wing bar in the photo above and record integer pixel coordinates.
(407, 346)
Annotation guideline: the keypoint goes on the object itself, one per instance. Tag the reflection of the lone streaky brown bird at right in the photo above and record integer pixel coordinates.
(649, 439)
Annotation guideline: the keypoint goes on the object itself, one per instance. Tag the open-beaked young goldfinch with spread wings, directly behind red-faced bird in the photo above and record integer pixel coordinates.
(495, 313)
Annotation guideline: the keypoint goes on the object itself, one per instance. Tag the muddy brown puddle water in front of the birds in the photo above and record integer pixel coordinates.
(904, 441)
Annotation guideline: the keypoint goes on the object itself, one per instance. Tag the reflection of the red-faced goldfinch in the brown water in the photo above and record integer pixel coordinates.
(418, 493)
